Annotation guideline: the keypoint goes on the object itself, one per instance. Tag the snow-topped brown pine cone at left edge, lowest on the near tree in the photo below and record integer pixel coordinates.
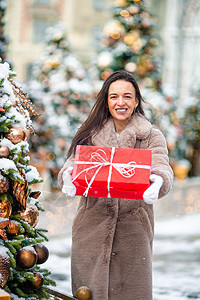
(4, 266)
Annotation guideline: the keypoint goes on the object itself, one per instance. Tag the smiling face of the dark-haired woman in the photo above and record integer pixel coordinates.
(121, 101)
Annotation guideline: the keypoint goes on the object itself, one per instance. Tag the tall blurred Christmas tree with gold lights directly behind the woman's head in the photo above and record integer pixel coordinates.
(129, 42)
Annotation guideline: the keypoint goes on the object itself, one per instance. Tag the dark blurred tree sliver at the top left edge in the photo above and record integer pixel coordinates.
(3, 39)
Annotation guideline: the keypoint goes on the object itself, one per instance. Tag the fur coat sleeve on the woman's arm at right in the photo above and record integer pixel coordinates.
(160, 160)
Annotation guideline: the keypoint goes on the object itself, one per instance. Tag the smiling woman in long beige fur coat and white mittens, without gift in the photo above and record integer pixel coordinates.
(112, 237)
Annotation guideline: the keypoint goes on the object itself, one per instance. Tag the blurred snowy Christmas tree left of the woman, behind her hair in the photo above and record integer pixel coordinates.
(61, 90)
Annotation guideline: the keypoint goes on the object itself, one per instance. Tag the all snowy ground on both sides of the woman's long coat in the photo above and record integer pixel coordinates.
(176, 260)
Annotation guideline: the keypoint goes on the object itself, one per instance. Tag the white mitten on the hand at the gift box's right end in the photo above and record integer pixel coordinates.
(151, 194)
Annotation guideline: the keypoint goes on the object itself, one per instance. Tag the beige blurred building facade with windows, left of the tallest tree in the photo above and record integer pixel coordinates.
(27, 21)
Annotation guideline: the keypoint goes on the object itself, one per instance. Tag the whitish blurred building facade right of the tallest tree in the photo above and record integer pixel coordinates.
(179, 25)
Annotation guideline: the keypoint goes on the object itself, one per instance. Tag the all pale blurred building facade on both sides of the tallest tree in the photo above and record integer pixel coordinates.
(178, 23)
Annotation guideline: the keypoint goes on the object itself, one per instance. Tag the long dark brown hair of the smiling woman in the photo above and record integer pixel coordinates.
(100, 113)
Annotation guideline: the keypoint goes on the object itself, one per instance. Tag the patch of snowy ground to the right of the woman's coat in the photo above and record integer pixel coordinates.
(176, 261)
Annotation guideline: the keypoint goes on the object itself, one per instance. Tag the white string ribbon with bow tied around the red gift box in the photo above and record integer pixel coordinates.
(99, 160)
